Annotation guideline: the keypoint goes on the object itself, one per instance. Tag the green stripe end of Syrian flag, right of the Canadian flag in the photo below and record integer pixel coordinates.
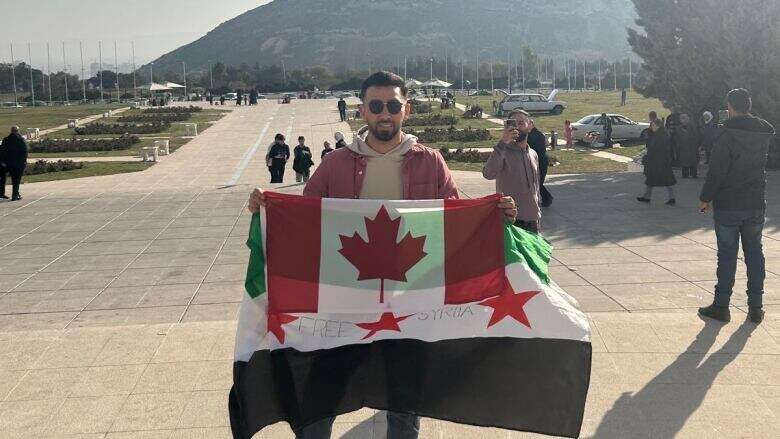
(522, 246)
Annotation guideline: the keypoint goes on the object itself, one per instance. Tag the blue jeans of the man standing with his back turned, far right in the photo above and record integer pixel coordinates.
(730, 226)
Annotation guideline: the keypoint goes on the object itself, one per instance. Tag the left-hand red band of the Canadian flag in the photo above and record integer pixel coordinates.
(293, 249)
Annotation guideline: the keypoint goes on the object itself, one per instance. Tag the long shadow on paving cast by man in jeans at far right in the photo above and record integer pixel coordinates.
(662, 407)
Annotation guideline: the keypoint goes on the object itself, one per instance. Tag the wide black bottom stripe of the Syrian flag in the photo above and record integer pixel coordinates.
(533, 385)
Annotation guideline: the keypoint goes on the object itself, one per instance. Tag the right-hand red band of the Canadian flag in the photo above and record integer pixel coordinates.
(473, 250)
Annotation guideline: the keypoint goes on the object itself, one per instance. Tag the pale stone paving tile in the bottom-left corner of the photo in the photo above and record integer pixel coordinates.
(19, 419)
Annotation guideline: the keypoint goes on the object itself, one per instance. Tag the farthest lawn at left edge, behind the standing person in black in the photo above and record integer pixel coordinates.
(49, 117)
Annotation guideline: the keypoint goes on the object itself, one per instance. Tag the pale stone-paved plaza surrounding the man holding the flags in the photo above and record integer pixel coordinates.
(118, 299)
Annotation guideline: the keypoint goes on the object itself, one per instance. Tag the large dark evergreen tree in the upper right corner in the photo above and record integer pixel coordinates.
(695, 51)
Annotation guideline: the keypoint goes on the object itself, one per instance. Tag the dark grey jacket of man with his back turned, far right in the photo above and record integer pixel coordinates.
(737, 176)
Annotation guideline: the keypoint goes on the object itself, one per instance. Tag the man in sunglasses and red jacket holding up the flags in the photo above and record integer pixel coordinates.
(380, 165)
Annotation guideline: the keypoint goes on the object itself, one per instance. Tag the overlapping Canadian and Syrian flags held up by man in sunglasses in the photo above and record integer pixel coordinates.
(434, 307)
